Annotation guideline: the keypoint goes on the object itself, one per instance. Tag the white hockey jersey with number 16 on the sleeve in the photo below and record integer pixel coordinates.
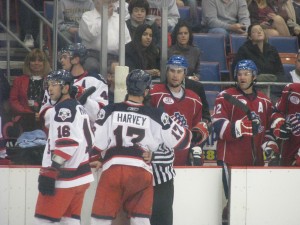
(70, 137)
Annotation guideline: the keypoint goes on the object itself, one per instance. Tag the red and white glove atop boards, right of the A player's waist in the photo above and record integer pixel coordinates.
(271, 151)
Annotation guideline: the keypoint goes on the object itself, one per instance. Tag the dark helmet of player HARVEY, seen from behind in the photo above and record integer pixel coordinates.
(137, 82)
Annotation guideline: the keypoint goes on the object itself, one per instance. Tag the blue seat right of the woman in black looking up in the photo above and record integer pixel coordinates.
(284, 44)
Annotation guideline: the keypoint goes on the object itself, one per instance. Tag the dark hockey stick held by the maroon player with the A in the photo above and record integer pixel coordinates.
(245, 109)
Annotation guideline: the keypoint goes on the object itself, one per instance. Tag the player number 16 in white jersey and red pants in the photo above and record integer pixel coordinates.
(65, 174)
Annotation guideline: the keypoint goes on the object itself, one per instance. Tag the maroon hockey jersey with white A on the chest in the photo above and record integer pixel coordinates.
(238, 151)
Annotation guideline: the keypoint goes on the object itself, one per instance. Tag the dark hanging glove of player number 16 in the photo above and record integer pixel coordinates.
(47, 178)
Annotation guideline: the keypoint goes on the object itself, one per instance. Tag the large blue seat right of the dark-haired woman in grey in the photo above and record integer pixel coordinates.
(213, 48)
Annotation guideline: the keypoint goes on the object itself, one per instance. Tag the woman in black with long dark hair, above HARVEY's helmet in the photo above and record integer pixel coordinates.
(141, 52)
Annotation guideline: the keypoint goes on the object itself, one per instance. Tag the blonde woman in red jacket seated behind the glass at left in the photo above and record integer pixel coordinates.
(27, 91)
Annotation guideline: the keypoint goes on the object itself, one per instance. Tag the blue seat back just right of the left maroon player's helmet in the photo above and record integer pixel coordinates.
(210, 71)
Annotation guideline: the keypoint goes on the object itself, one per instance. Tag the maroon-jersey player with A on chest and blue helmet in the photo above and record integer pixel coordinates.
(241, 140)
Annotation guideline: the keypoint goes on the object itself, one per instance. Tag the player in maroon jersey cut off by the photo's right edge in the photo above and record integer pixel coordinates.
(286, 124)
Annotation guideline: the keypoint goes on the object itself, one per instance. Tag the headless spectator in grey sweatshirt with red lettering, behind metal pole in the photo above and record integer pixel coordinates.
(155, 14)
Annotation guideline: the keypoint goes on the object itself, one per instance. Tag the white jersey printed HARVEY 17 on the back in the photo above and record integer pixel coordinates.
(125, 130)
